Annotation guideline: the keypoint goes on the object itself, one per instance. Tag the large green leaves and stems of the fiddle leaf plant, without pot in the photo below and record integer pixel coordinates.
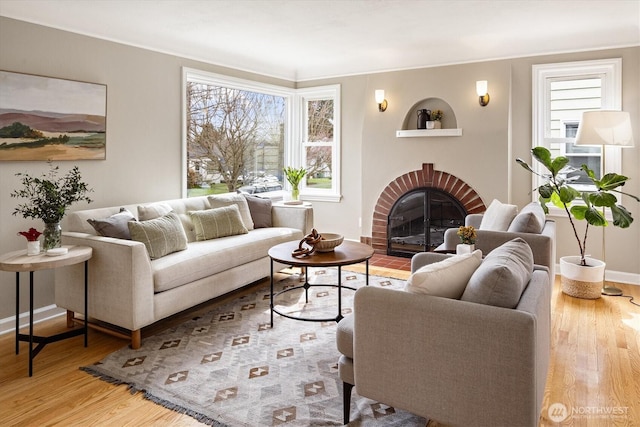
(557, 190)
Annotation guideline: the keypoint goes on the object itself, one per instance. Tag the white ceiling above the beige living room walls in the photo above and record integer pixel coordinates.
(310, 39)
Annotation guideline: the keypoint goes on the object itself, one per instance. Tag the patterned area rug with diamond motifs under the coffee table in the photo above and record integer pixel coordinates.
(229, 368)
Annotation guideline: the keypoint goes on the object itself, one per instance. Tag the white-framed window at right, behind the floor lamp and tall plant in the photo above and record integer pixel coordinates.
(561, 93)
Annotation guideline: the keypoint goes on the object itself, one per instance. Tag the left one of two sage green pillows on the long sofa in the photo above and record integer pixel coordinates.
(161, 236)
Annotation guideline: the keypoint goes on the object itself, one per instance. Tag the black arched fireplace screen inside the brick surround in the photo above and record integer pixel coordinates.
(418, 220)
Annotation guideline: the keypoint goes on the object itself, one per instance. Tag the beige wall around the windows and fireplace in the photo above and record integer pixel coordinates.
(144, 134)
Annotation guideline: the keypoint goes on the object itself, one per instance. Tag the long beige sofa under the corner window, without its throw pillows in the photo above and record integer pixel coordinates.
(129, 290)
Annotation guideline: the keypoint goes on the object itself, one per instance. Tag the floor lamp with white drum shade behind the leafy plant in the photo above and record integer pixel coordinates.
(605, 128)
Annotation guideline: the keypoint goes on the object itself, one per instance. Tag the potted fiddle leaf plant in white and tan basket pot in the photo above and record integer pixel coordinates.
(582, 276)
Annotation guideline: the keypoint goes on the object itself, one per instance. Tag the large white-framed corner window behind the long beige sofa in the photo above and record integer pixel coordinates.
(240, 134)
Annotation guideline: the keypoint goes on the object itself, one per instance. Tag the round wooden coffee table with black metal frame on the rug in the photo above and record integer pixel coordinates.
(346, 254)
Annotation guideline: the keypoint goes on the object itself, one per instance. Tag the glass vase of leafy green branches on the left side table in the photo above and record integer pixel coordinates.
(48, 199)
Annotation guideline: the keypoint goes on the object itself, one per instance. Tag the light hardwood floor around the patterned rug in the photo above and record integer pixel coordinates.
(594, 371)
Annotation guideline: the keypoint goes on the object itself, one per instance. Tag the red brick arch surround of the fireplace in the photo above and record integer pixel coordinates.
(426, 177)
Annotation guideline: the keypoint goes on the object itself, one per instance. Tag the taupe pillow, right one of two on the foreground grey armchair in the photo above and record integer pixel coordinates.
(503, 275)
